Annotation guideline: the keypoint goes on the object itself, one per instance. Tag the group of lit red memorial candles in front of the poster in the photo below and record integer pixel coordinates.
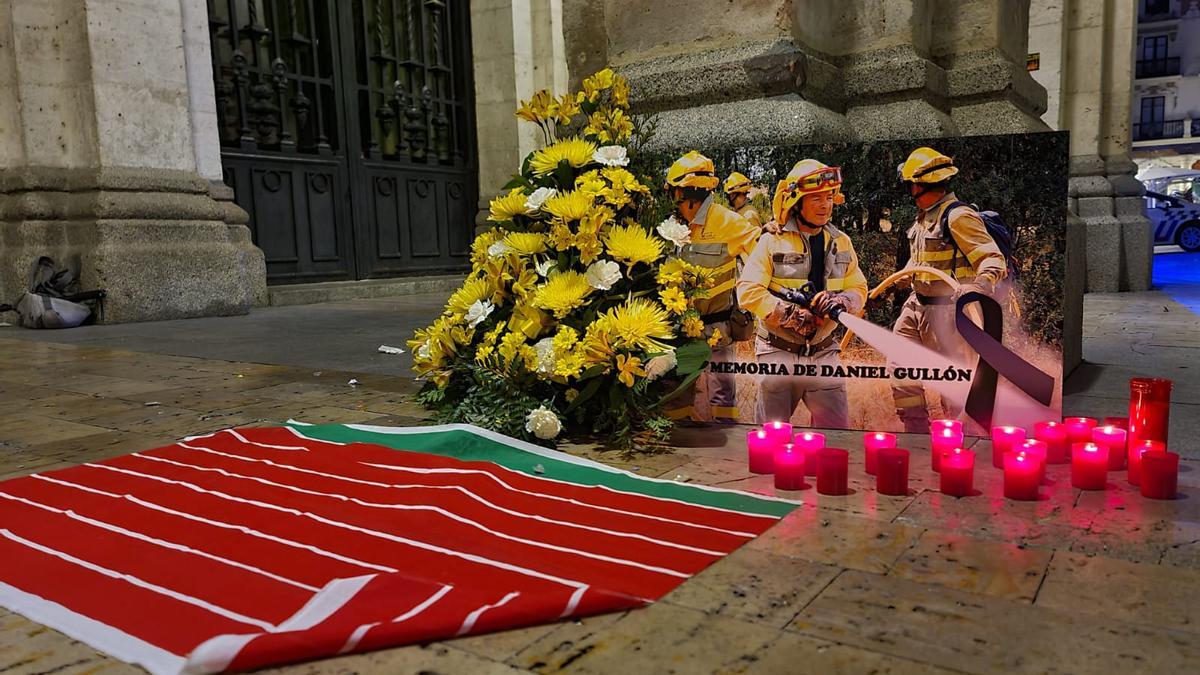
(1137, 445)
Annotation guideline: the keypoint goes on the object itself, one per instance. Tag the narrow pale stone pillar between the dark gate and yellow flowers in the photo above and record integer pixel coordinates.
(518, 49)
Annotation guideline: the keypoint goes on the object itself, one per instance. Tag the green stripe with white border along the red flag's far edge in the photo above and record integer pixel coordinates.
(469, 444)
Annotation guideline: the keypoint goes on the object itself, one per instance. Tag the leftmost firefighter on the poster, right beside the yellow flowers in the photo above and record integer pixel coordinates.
(719, 241)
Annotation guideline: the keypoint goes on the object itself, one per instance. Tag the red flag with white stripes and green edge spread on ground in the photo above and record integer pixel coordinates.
(256, 547)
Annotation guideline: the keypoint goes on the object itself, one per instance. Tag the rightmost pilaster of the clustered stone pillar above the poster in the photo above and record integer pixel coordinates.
(982, 45)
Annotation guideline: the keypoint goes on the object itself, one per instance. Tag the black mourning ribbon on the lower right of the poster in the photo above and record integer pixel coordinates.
(995, 360)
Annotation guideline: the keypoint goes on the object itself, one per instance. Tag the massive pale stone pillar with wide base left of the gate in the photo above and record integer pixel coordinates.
(107, 180)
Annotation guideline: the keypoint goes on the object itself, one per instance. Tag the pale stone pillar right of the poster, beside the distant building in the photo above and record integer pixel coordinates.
(1096, 97)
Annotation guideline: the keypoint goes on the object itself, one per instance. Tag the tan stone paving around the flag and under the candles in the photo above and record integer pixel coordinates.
(1077, 583)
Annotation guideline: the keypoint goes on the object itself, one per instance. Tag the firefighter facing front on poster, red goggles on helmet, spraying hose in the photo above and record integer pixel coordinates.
(807, 248)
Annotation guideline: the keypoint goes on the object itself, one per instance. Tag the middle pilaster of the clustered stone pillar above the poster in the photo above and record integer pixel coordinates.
(890, 86)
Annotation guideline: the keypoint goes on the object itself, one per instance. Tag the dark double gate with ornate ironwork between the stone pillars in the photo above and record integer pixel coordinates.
(347, 133)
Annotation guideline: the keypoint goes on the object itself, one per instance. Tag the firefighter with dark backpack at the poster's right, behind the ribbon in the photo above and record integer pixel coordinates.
(949, 236)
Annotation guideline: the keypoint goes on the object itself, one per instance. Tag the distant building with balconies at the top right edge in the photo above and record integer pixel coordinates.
(1167, 86)
